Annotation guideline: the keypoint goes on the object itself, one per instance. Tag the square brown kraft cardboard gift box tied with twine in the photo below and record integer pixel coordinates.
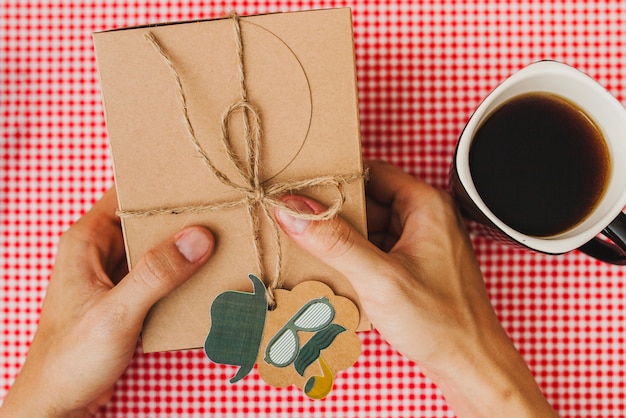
(299, 76)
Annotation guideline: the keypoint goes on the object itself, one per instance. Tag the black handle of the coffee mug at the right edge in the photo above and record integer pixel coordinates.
(612, 253)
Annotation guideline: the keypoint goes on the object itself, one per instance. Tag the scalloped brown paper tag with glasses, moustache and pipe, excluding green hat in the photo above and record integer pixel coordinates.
(308, 338)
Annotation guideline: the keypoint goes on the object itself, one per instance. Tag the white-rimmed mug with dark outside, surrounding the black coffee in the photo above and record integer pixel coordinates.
(609, 116)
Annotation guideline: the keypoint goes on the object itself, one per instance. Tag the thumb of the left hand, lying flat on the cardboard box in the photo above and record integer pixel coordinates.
(164, 268)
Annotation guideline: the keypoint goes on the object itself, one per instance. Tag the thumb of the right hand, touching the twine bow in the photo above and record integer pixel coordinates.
(334, 241)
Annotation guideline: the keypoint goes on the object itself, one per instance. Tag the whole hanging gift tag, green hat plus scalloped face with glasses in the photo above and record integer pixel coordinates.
(304, 341)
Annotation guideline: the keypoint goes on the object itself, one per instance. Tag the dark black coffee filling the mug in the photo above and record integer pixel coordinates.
(540, 164)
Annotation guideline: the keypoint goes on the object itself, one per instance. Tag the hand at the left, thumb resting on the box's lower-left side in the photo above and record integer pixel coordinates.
(92, 315)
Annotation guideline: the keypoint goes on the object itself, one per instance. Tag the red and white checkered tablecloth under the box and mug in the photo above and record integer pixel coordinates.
(423, 66)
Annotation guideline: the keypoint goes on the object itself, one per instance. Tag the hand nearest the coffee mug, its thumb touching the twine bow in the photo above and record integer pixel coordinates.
(422, 288)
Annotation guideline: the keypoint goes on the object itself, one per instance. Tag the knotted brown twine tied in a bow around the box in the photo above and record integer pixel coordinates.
(257, 196)
